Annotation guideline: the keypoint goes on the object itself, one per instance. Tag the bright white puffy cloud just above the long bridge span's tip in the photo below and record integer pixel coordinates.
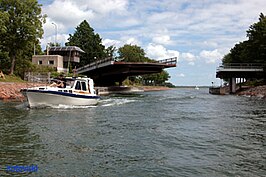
(160, 52)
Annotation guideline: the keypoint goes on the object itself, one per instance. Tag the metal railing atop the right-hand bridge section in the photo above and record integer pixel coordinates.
(241, 66)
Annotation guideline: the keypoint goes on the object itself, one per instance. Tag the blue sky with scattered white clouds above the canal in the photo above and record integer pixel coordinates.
(199, 32)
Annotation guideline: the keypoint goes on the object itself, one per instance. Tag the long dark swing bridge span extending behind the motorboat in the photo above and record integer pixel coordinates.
(108, 71)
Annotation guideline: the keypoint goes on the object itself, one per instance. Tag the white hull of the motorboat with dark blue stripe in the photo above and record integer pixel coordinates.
(38, 98)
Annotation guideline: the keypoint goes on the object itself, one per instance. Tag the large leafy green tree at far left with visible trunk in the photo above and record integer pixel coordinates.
(22, 27)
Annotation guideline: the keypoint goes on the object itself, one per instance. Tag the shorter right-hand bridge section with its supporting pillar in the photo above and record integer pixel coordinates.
(232, 71)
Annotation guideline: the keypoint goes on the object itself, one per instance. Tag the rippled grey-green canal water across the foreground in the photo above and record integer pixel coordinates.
(181, 132)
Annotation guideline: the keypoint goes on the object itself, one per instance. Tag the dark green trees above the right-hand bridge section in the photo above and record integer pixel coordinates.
(254, 49)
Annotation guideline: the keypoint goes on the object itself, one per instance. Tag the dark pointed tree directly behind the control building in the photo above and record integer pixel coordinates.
(90, 42)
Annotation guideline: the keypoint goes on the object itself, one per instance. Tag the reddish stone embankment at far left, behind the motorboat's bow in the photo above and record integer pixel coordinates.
(11, 90)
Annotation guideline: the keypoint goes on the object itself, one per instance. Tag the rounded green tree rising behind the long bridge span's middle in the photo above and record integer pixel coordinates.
(132, 53)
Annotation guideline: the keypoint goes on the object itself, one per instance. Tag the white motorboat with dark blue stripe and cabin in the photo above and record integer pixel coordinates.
(74, 92)
